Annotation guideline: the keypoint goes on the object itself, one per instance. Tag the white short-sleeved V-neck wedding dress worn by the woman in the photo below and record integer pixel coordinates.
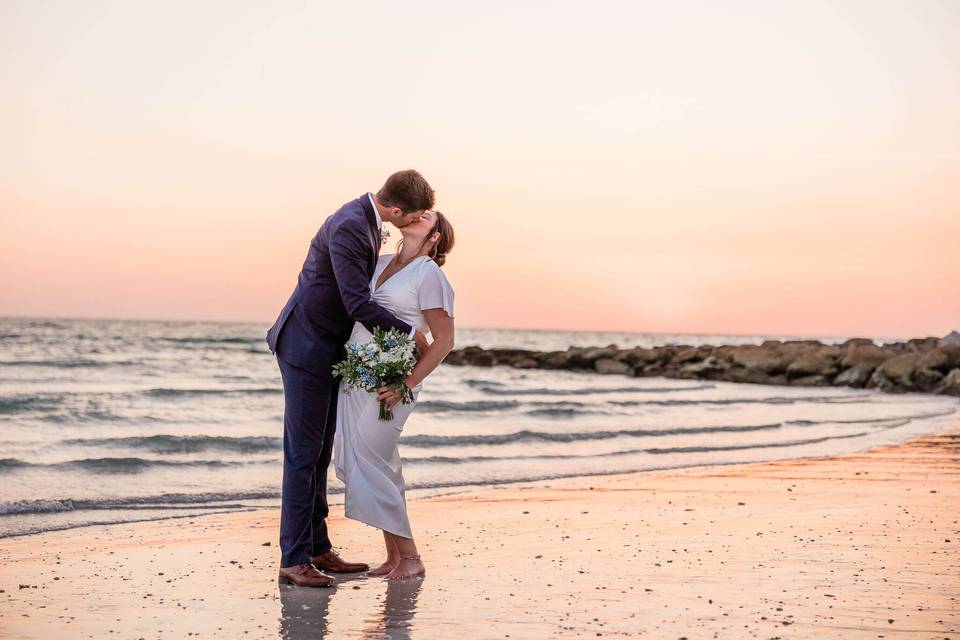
(365, 452)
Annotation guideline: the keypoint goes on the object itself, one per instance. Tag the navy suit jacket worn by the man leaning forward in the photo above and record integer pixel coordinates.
(333, 291)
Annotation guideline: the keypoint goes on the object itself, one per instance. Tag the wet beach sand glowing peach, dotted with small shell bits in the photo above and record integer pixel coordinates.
(854, 546)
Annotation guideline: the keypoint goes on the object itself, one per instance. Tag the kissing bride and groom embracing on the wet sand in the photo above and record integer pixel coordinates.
(344, 291)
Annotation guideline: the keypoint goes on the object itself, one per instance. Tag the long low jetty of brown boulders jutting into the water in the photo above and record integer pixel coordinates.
(930, 365)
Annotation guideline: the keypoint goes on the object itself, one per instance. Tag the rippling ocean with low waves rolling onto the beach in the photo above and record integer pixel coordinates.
(105, 421)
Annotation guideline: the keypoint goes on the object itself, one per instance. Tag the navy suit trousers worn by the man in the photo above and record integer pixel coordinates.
(309, 423)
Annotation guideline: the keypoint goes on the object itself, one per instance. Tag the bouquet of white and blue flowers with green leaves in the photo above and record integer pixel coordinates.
(384, 361)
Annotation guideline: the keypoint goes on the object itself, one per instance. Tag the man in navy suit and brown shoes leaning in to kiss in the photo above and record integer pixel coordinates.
(332, 292)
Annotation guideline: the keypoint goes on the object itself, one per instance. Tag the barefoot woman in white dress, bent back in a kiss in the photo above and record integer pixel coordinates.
(414, 288)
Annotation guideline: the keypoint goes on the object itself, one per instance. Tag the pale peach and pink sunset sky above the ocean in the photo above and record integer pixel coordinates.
(784, 168)
